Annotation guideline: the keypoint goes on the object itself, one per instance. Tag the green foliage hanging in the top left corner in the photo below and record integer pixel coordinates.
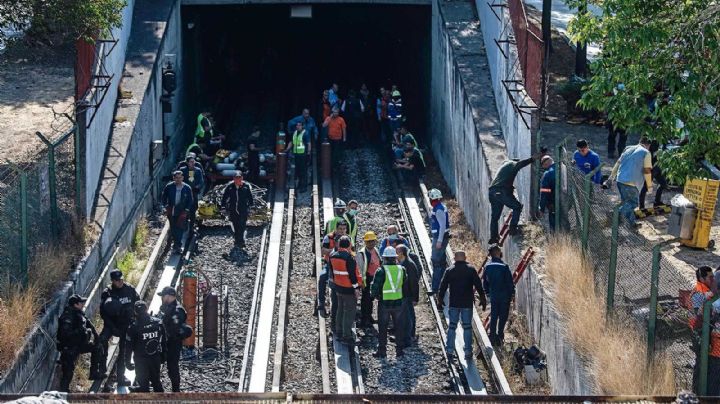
(52, 22)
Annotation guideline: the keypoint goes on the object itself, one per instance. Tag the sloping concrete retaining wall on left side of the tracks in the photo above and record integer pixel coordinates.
(128, 188)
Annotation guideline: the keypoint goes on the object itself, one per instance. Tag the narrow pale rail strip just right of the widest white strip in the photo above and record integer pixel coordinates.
(282, 305)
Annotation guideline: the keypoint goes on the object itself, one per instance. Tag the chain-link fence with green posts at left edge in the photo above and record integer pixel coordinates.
(37, 207)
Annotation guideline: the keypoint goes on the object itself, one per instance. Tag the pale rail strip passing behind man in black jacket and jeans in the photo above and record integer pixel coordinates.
(472, 375)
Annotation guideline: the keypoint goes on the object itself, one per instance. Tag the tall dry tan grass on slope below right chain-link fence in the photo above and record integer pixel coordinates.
(615, 352)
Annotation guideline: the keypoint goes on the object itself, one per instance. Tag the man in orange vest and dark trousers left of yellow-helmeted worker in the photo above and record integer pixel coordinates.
(347, 282)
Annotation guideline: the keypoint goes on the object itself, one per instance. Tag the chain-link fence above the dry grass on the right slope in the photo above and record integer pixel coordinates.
(640, 285)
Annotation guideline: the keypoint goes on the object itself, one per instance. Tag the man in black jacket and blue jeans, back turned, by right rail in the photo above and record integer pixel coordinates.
(461, 278)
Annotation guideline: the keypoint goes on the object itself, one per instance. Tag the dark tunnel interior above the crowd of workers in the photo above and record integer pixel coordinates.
(255, 65)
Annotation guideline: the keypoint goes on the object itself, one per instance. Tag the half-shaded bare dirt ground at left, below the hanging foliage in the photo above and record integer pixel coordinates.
(33, 82)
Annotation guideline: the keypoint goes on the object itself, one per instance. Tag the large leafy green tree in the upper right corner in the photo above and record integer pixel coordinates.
(658, 74)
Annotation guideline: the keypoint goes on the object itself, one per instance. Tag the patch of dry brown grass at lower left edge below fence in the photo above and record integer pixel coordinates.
(17, 315)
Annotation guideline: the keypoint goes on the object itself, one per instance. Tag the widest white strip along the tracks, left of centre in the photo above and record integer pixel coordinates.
(267, 301)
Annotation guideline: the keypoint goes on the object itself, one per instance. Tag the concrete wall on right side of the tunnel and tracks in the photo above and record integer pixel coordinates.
(466, 123)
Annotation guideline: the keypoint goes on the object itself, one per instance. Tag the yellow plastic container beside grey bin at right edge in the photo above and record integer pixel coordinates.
(703, 193)
